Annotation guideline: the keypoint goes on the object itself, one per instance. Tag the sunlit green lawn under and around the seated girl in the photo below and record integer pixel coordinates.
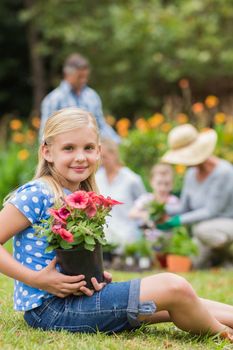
(15, 334)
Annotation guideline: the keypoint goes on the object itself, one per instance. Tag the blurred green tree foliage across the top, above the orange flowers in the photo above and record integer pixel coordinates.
(138, 50)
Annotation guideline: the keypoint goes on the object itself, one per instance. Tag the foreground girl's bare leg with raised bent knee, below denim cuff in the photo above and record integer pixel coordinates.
(173, 293)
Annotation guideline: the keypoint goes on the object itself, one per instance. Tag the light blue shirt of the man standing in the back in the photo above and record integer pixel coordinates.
(64, 96)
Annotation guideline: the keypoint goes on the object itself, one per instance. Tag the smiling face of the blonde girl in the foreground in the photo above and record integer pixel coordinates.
(74, 155)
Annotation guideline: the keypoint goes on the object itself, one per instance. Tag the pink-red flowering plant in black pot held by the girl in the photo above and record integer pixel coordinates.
(75, 230)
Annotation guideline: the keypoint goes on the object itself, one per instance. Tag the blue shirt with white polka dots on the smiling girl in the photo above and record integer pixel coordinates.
(32, 200)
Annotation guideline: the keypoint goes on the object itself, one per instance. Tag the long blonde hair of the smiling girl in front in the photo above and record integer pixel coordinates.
(62, 121)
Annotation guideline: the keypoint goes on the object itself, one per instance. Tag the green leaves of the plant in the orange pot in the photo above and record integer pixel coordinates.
(181, 243)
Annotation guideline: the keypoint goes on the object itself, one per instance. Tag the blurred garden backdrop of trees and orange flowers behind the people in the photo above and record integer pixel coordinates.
(155, 64)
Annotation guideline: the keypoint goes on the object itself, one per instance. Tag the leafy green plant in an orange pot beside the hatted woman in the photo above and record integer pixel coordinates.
(179, 249)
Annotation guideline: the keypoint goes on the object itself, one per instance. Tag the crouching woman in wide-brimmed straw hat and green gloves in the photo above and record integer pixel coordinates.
(207, 194)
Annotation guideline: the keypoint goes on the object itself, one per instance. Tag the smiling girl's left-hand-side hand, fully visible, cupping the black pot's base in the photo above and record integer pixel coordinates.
(56, 283)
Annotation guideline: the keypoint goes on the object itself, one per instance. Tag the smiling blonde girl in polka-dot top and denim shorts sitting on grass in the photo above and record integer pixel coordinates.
(68, 158)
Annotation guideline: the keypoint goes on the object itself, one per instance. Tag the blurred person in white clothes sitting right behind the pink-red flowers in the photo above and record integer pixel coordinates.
(118, 181)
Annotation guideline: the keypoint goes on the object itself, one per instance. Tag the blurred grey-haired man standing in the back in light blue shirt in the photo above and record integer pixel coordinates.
(74, 91)
